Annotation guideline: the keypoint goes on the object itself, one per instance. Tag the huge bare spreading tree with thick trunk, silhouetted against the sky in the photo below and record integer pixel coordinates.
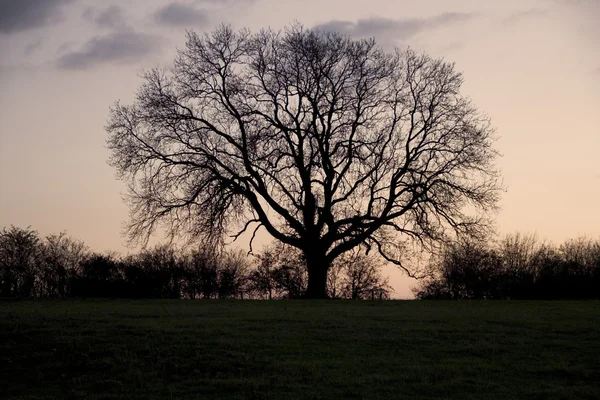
(326, 142)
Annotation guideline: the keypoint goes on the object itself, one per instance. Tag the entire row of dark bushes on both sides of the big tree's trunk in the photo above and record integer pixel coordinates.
(517, 267)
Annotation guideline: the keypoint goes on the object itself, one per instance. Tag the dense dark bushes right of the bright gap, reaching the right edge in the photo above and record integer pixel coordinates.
(517, 267)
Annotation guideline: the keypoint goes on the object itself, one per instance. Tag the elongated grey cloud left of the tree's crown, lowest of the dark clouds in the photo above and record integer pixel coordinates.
(116, 47)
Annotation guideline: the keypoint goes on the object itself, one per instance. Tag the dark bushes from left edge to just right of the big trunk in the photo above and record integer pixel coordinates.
(59, 266)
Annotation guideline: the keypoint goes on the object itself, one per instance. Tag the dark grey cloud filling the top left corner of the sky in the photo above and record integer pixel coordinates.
(23, 15)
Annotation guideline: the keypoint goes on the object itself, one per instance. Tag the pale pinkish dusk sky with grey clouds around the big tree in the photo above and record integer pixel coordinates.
(532, 66)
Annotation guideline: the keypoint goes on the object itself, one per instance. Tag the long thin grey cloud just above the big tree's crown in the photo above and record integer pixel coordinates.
(396, 28)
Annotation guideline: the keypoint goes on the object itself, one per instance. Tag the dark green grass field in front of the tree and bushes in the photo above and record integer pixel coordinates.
(153, 349)
